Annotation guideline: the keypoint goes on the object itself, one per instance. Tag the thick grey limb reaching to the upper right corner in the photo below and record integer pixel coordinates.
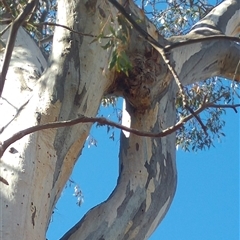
(216, 55)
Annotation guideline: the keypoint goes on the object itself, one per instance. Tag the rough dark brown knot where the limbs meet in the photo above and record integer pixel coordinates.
(142, 79)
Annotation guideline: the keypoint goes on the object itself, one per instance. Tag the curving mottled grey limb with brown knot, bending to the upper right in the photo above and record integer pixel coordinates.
(147, 171)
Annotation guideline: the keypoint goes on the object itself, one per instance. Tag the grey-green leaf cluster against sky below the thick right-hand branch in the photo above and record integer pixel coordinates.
(192, 136)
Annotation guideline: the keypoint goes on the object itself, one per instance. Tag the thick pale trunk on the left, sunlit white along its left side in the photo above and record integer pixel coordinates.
(43, 162)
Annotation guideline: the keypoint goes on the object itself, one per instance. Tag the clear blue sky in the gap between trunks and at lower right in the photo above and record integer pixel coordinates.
(206, 204)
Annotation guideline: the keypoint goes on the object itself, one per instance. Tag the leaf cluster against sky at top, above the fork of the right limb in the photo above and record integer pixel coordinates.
(175, 17)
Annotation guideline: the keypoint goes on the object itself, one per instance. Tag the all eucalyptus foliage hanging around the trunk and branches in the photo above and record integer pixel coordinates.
(171, 17)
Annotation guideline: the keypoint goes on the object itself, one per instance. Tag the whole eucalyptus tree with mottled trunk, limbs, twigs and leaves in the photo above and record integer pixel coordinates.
(58, 74)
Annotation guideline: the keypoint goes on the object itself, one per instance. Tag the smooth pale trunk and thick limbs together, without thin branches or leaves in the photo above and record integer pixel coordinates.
(74, 82)
